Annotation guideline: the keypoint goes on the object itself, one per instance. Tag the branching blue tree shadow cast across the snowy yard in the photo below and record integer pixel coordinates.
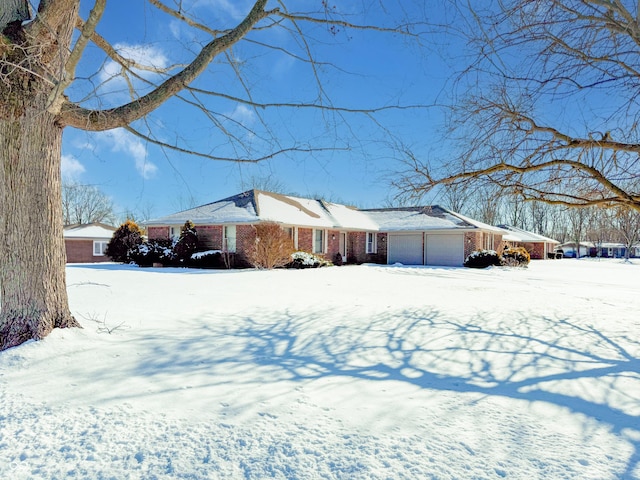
(531, 358)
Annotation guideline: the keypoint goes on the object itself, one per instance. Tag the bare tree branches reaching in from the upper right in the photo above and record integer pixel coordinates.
(549, 108)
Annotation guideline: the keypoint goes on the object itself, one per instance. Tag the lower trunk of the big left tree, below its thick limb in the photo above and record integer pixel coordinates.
(32, 255)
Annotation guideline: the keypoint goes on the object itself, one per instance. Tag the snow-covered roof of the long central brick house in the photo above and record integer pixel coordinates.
(255, 206)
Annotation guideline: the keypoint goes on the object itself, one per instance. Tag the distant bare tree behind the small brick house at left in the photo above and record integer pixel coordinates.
(83, 204)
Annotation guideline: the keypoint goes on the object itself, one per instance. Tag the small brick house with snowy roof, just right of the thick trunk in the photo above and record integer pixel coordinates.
(87, 243)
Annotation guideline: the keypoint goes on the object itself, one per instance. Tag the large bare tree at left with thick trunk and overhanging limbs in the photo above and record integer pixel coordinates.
(61, 70)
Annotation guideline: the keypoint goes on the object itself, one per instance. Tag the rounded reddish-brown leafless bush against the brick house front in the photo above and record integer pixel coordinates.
(272, 248)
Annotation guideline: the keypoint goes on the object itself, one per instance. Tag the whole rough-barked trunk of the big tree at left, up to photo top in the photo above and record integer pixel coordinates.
(33, 293)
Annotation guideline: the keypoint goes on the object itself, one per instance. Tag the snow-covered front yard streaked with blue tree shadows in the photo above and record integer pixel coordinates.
(367, 372)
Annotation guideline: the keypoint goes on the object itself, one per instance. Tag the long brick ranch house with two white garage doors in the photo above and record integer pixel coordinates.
(413, 236)
